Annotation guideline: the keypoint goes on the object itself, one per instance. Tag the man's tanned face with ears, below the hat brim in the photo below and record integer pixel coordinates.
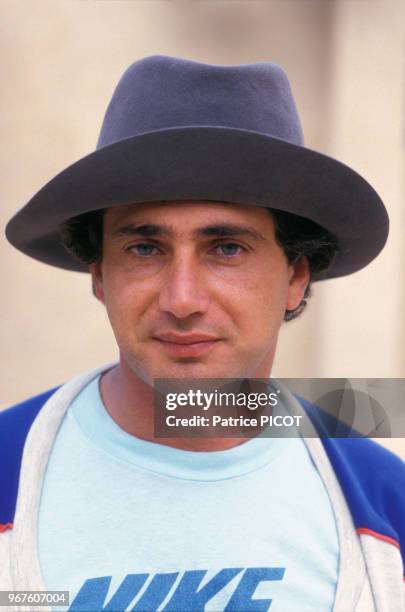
(195, 289)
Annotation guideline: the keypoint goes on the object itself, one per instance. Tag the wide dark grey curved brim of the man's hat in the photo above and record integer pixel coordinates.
(208, 163)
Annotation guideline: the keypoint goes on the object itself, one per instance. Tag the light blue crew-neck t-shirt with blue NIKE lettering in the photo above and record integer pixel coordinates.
(127, 524)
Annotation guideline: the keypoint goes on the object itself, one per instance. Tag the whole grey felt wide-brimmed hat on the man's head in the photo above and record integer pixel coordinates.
(182, 130)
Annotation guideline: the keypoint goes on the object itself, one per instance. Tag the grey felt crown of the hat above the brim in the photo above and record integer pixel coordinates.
(160, 92)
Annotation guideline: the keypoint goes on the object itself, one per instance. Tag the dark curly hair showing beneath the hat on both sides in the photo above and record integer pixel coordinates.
(82, 237)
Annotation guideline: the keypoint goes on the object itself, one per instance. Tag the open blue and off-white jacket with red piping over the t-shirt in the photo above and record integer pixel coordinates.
(362, 478)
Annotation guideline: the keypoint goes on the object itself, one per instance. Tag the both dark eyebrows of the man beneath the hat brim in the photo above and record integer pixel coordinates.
(220, 230)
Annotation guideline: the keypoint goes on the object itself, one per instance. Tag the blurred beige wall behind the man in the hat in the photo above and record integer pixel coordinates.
(59, 64)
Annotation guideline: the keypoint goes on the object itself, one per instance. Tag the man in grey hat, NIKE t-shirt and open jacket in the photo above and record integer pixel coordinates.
(202, 220)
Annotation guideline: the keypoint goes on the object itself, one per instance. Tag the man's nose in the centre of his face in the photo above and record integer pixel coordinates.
(184, 290)
